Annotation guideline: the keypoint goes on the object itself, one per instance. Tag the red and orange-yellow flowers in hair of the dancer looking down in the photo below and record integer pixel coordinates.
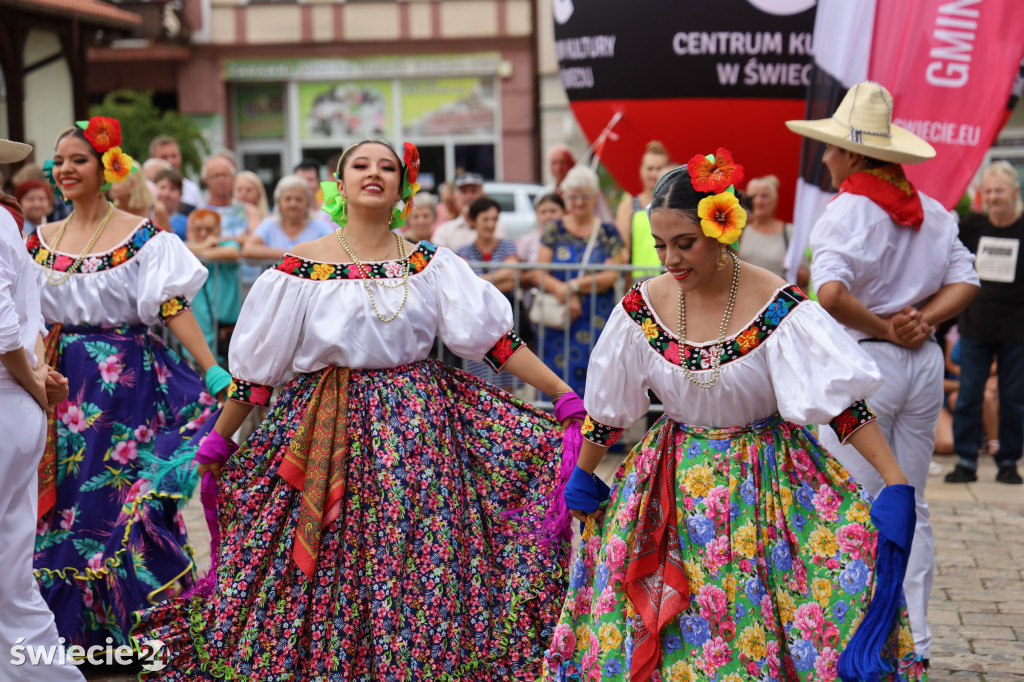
(721, 216)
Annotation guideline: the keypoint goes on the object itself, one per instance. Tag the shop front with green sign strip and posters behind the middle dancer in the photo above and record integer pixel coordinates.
(324, 106)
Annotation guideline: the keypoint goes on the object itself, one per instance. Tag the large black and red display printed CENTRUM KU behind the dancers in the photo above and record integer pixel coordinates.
(696, 78)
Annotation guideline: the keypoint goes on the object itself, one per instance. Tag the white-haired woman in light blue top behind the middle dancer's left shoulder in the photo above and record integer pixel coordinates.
(289, 226)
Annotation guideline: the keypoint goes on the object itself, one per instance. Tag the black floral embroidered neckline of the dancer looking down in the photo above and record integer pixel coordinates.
(698, 357)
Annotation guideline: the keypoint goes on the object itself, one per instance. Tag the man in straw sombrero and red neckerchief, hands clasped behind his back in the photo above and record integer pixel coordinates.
(889, 267)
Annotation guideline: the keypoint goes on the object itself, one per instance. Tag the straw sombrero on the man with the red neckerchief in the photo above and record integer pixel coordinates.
(864, 123)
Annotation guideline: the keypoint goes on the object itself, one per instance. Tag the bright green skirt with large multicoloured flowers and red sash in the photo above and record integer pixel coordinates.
(765, 530)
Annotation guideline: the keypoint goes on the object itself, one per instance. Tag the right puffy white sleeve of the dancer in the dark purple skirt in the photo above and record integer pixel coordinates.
(169, 278)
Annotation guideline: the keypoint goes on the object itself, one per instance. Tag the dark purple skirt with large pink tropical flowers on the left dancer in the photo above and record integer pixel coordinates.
(115, 541)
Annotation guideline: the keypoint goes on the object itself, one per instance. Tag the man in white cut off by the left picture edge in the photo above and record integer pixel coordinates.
(27, 390)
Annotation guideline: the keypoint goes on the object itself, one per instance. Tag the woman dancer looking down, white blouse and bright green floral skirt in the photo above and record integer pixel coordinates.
(732, 544)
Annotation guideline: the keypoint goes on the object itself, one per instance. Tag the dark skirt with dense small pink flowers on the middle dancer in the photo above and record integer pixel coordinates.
(424, 575)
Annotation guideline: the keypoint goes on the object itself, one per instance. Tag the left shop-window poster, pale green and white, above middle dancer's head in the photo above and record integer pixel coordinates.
(345, 110)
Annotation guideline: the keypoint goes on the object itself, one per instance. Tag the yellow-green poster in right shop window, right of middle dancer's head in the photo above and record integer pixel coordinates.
(440, 107)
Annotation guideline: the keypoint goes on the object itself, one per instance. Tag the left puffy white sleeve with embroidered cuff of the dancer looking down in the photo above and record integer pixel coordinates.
(617, 386)
